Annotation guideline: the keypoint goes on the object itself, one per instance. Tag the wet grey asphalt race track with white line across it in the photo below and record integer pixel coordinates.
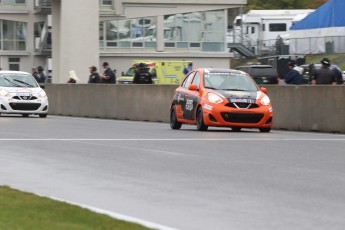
(182, 179)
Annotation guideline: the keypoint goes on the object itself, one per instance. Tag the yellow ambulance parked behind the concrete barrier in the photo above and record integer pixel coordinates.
(163, 72)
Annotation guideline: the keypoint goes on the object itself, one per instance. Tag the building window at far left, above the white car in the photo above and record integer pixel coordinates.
(13, 35)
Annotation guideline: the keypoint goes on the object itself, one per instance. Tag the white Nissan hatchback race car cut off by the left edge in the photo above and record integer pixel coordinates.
(21, 94)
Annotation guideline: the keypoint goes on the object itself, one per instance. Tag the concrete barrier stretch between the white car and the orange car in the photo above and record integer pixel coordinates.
(126, 102)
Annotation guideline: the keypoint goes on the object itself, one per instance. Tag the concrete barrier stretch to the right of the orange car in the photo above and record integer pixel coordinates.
(308, 108)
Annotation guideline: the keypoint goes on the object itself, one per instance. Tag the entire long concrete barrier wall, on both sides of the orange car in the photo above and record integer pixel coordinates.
(301, 108)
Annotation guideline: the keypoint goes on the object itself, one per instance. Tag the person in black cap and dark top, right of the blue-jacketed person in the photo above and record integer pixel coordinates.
(324, 75)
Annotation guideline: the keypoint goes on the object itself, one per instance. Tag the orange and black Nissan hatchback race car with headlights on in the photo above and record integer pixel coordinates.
(223, 98)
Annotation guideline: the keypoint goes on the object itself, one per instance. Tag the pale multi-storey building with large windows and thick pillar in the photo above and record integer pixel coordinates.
(64, 35)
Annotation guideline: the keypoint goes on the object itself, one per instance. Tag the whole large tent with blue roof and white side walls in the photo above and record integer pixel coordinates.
(322, 31)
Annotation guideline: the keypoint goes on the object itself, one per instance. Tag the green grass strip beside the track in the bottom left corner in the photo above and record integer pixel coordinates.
(26, 211)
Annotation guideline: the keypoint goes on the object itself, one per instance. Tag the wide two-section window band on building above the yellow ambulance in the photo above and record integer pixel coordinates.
(200, 31)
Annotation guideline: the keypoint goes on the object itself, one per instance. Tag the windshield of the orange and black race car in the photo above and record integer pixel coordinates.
(229, 81)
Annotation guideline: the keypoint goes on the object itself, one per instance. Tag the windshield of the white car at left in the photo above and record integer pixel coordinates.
(17, 80)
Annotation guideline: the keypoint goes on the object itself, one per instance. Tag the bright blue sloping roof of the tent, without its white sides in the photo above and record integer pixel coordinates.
(330, 14)
